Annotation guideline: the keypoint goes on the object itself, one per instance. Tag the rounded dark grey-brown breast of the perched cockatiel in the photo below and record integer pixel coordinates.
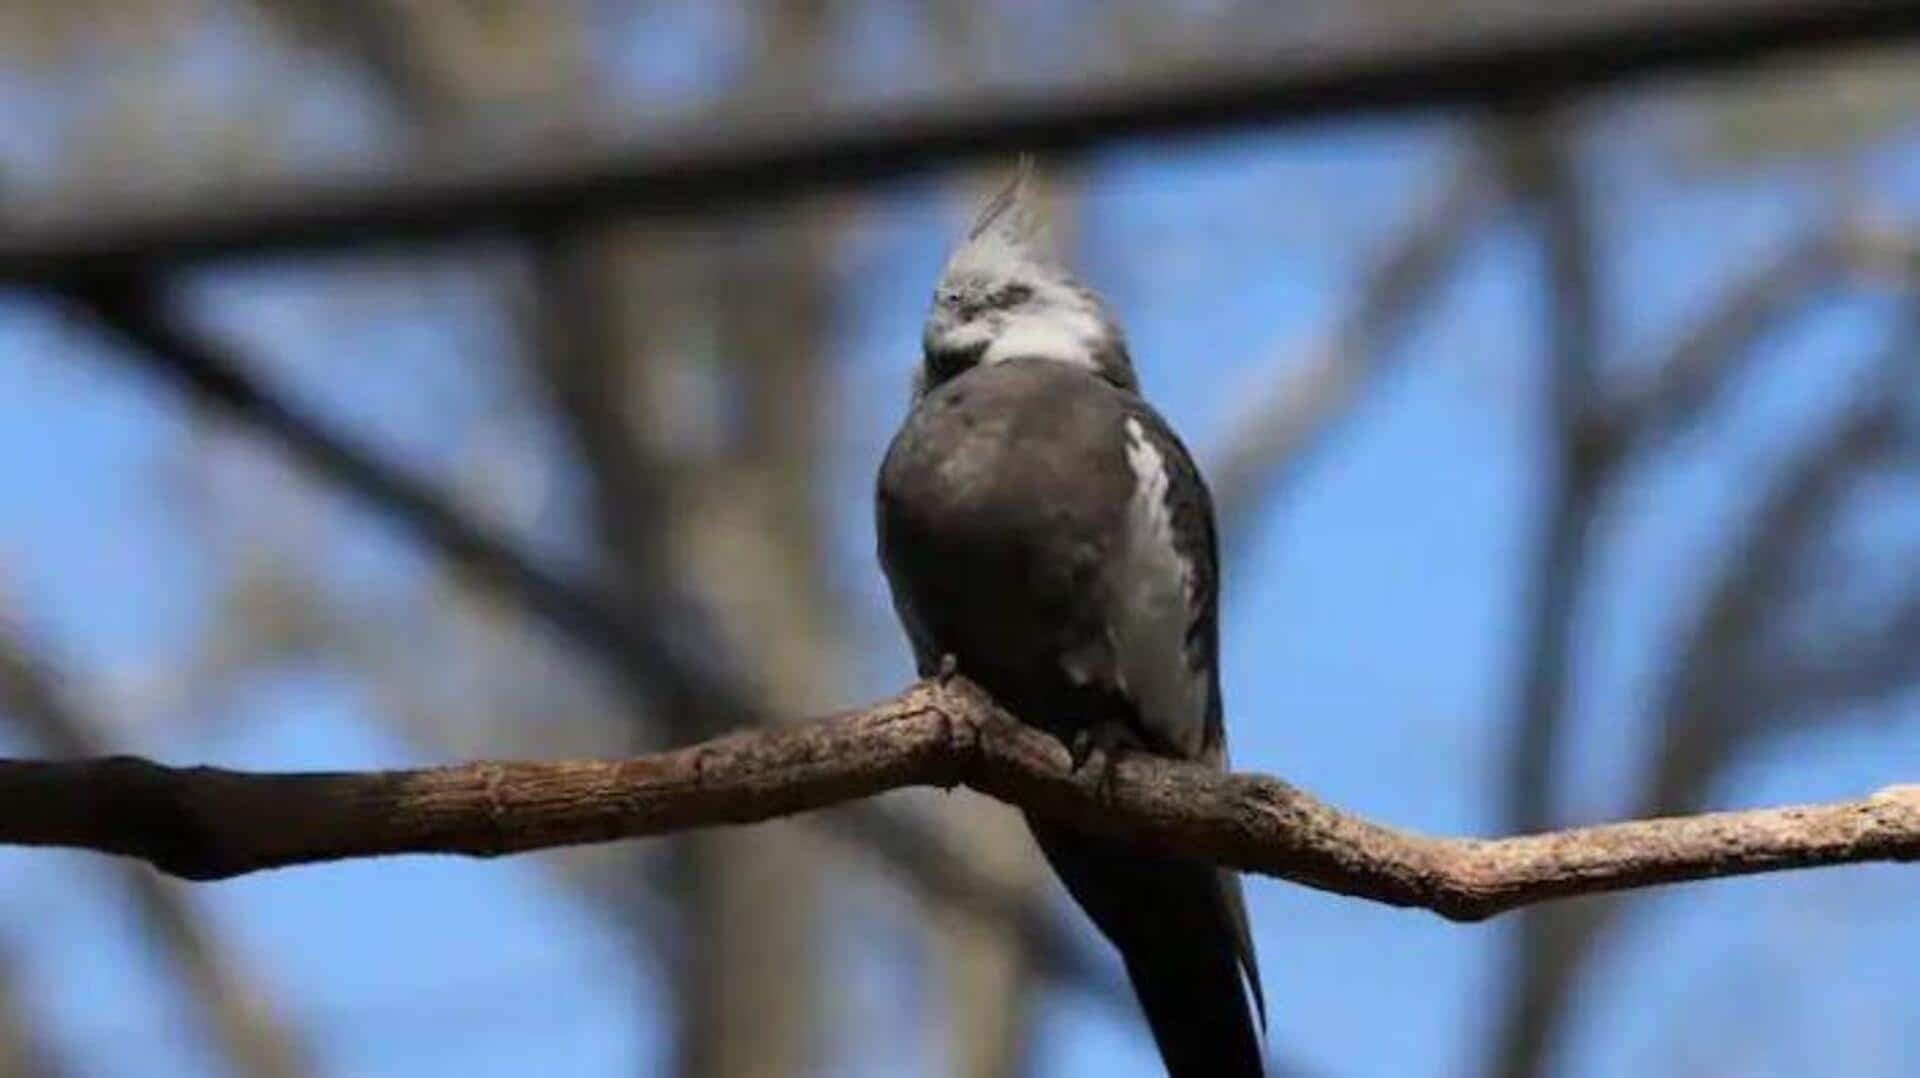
(1001, 504)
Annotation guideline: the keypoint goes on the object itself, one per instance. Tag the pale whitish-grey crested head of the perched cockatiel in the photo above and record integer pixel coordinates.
(1005, 297)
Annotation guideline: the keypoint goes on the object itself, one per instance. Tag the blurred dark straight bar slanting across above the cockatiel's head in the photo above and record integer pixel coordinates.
(1529, 57)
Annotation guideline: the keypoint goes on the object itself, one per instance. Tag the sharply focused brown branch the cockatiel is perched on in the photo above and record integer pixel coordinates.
(206, 823)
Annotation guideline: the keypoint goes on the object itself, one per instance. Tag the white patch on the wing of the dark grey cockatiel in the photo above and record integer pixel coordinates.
(1155, 591)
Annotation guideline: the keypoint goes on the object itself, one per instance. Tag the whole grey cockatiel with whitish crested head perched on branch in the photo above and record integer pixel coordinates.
(1045, 531)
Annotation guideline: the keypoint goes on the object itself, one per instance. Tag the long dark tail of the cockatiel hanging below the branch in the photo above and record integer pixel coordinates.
(1182, 931)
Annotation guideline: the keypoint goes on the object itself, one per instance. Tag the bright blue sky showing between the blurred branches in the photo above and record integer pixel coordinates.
(1370, 629)
